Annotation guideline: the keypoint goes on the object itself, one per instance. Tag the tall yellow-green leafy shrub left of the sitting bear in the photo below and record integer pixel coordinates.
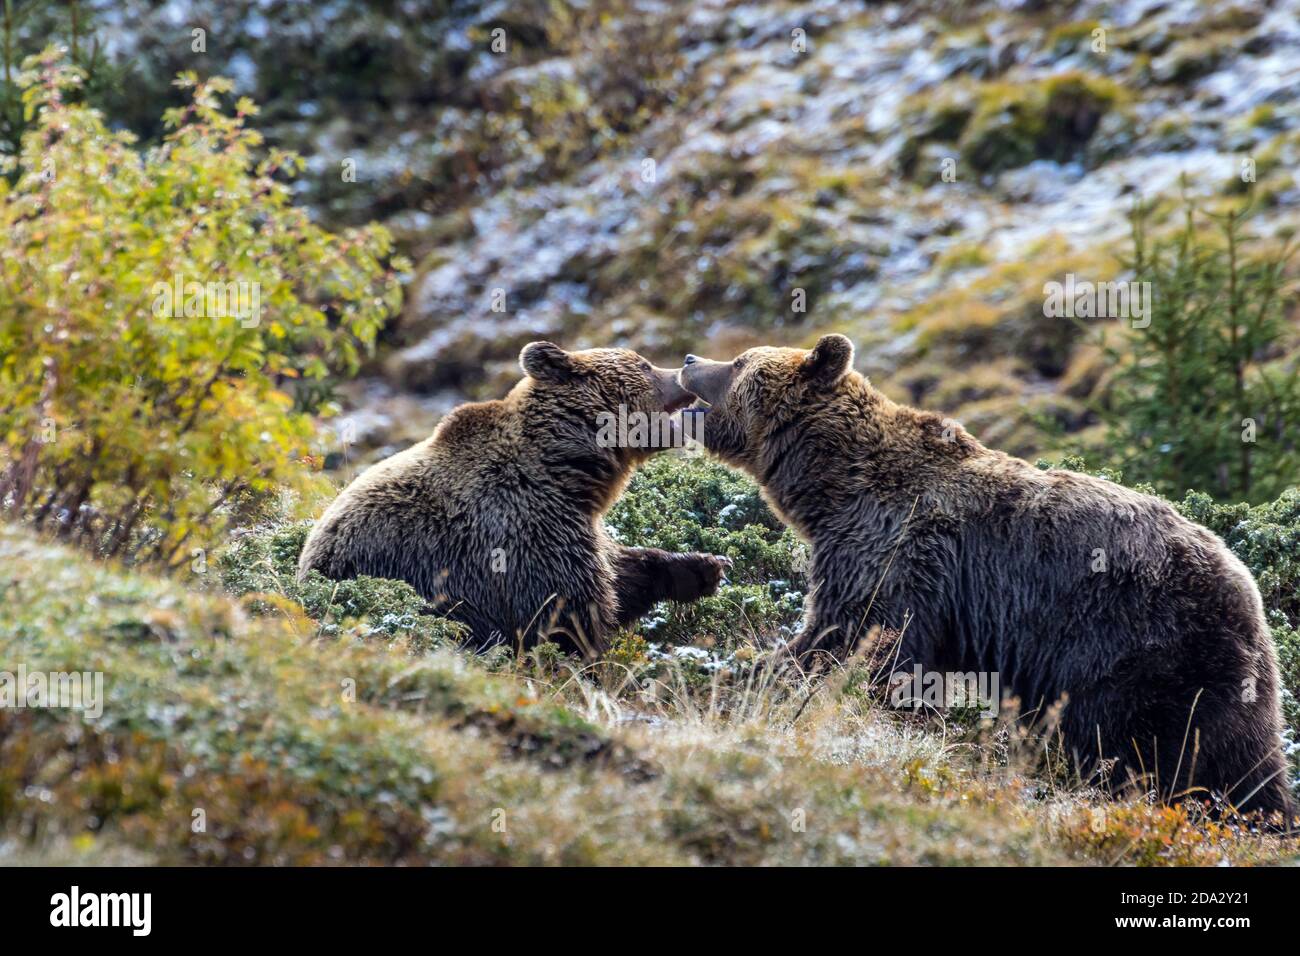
(133, 421)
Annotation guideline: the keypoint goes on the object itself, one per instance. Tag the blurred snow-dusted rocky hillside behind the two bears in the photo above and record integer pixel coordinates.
(713, 175)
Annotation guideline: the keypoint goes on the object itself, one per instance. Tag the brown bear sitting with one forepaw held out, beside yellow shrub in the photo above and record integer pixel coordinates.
(496, 518)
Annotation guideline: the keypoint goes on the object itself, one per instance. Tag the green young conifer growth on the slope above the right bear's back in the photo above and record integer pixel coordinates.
(1199, 399)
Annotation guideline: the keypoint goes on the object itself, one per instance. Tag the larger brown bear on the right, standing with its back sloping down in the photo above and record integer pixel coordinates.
(1067, 587)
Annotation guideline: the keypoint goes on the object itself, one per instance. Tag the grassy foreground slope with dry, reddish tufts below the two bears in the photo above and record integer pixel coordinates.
(210, 707)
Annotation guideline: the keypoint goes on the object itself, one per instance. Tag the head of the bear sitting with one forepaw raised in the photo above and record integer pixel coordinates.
(623, 401)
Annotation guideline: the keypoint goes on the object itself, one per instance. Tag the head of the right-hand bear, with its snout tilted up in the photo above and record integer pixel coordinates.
(751, 401)
